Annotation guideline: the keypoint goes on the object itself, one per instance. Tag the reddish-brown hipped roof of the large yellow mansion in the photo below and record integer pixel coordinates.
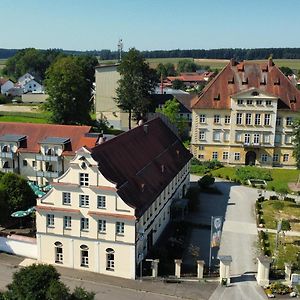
(238, 77)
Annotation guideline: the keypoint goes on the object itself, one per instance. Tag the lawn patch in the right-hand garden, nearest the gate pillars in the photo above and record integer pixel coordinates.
(288, 247)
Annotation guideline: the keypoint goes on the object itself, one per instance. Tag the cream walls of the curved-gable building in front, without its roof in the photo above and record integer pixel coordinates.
(83, 223)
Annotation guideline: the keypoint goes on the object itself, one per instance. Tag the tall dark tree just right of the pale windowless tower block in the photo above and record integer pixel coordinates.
(134, 87)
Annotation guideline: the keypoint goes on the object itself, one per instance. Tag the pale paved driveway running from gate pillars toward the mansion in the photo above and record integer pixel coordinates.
(239, 237)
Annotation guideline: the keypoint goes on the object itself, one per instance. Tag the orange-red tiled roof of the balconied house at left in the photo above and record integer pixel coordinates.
(38, 132)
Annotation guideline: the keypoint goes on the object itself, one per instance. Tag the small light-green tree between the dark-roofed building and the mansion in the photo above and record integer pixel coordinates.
(171, 109)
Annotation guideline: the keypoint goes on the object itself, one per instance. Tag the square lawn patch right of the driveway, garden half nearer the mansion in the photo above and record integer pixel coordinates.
(274, 210)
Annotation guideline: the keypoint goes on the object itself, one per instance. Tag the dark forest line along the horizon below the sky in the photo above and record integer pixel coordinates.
(225, 53)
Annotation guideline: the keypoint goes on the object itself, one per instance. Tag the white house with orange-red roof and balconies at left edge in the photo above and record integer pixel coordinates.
(41, 152)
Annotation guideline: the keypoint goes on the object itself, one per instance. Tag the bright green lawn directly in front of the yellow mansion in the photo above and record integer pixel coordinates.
(281, 177)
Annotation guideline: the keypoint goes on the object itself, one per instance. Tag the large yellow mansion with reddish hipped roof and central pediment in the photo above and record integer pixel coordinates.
(245, 115)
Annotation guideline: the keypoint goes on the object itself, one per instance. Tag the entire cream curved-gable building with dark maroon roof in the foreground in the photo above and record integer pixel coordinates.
(109, 208)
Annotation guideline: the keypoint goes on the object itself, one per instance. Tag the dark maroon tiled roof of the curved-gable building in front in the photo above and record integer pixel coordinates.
(134, 161)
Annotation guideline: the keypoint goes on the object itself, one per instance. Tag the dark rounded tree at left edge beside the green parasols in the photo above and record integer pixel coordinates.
(15, 194)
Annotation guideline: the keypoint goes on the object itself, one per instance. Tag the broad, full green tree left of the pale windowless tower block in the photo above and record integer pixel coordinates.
(68, 83)
